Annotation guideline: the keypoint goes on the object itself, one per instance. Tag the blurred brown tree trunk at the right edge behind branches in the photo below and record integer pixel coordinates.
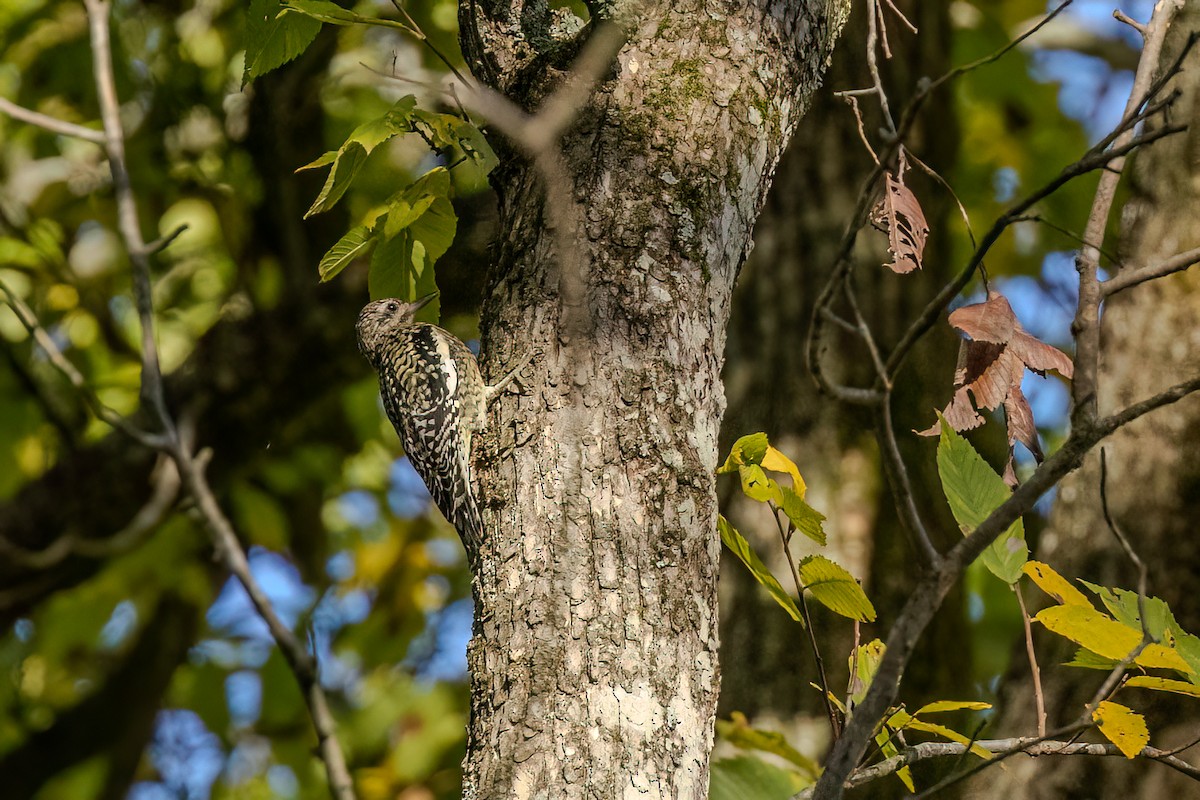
(1150, 341)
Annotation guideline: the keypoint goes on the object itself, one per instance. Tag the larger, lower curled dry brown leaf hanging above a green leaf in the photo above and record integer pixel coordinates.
(992, 364)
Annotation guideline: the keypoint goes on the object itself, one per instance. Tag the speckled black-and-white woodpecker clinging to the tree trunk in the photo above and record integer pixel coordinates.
(437, 400)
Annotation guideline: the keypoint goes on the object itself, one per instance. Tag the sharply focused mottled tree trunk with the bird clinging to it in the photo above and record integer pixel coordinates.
(595, 660)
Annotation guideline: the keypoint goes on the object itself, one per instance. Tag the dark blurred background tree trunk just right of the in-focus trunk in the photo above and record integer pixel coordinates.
(766, 667)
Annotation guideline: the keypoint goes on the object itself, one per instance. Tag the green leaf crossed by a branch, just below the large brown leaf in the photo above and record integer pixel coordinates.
(974, 491)
